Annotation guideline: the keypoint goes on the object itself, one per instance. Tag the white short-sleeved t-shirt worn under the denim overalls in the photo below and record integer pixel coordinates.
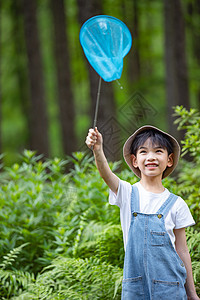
(179, 215)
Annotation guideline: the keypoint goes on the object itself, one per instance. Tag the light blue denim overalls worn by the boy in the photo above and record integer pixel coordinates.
(152, 268)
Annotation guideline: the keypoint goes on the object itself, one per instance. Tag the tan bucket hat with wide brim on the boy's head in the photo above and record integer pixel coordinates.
(127, 150)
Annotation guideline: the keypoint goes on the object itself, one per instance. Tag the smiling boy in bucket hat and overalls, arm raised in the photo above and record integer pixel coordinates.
(157, 262)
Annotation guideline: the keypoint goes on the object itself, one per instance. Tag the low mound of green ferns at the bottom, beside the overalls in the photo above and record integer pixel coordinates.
(69, 278)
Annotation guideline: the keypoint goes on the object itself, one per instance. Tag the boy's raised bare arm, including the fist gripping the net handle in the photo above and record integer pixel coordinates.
(94, 140)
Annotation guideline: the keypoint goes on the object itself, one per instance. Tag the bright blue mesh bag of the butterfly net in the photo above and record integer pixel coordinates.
(105, 41)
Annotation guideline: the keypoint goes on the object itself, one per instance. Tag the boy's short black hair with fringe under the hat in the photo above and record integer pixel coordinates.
(157, 138)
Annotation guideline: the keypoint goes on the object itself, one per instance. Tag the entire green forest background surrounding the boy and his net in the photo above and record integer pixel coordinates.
(59, 237)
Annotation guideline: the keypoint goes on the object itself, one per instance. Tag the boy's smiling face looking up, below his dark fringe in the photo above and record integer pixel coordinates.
(152, 160)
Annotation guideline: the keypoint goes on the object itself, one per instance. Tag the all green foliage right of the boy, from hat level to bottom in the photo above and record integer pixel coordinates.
(188, 184)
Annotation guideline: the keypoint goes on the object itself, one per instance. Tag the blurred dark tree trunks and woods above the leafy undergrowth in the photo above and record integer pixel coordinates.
(48, 89)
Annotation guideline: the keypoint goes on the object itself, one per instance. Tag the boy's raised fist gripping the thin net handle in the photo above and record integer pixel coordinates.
(94, 139)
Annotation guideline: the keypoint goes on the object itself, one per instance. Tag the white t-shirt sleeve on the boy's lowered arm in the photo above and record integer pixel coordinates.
(183, 215)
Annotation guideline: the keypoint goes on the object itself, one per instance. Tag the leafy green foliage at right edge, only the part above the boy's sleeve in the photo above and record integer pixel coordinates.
(189, 177)
